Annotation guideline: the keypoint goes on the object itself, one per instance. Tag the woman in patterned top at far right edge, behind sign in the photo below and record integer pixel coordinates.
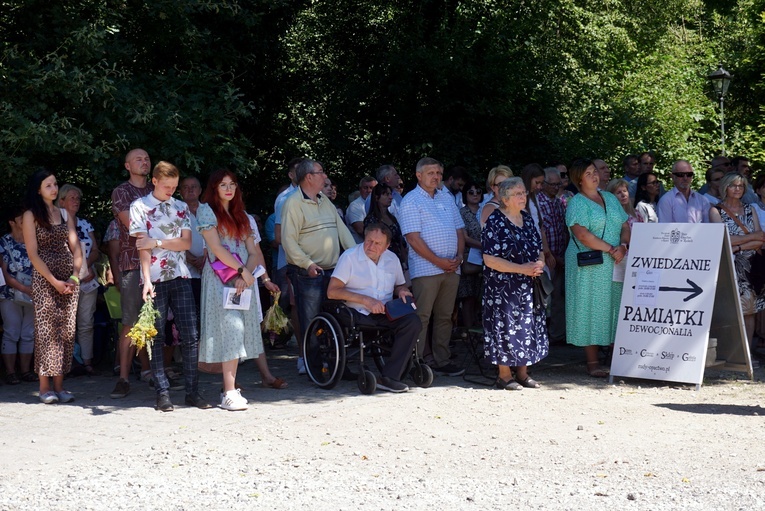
(746, 237)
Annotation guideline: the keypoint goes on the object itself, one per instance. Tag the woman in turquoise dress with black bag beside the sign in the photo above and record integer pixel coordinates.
(597, 222)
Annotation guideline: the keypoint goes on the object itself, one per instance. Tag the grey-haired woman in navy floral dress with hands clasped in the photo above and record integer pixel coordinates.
(514, 327)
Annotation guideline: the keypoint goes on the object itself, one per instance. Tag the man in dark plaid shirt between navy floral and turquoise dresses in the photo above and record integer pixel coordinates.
(554, 223)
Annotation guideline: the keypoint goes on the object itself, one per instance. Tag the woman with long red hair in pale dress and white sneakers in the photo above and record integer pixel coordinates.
(229, 335)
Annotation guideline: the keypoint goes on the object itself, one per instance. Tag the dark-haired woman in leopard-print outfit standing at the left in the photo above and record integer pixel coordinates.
(54, 250)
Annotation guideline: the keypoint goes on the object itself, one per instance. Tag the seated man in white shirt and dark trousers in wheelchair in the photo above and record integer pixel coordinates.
(366, 277)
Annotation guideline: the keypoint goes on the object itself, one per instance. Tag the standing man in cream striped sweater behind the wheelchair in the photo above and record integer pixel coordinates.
(311, 234)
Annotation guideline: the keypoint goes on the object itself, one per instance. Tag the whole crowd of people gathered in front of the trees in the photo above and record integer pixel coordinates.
(530, 261)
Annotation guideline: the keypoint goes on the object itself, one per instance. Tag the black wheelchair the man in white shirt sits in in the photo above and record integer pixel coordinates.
(332, 338)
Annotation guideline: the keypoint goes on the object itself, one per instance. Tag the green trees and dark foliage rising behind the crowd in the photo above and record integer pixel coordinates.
(251, 84)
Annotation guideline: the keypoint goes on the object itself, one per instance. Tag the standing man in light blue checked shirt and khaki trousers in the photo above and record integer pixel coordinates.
(434, 230)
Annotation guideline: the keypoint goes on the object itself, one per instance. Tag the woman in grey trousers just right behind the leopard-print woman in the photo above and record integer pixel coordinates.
(70, 198)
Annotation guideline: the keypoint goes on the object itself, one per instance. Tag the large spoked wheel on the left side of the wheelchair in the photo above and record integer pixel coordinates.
(324, 351)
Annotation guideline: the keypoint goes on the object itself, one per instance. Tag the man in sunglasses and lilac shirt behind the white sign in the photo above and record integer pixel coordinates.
(681, 204)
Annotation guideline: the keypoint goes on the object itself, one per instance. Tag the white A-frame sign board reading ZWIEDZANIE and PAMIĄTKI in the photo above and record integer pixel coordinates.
(668, 300)
